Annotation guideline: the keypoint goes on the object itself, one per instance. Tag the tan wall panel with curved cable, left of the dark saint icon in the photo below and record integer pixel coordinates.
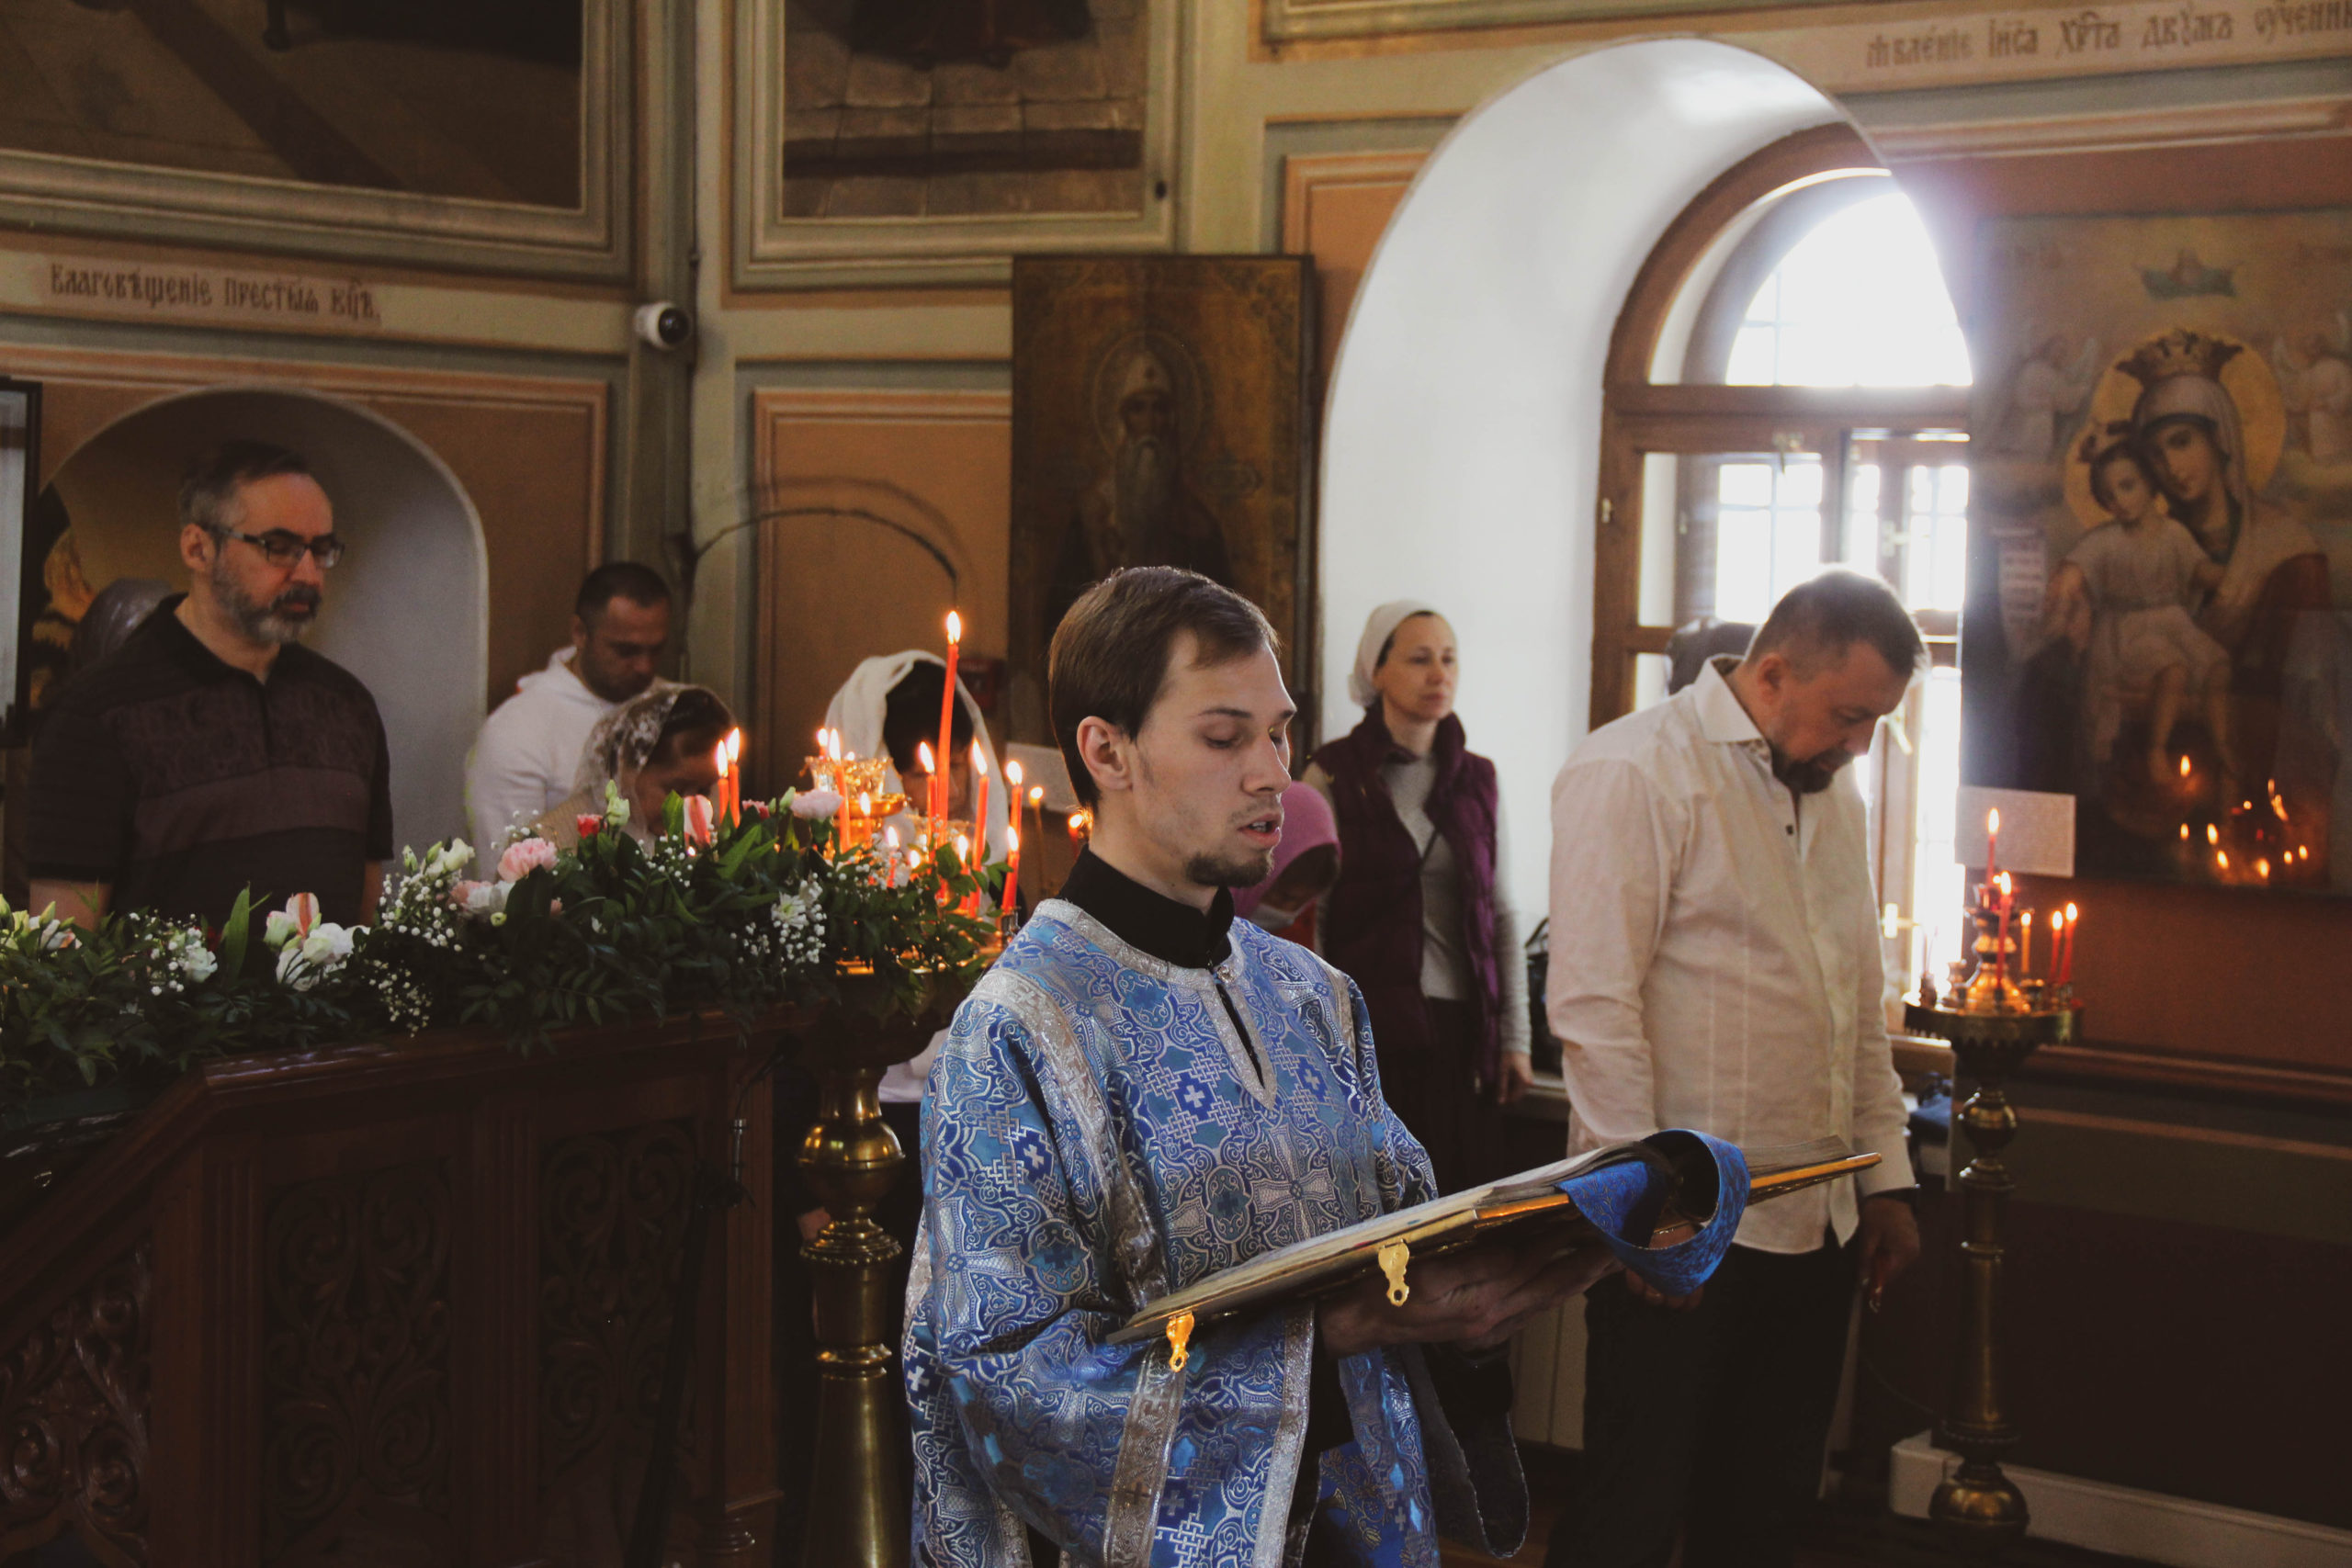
(843, 589)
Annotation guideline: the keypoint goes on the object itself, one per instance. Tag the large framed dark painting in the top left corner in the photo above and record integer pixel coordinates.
(436, 133)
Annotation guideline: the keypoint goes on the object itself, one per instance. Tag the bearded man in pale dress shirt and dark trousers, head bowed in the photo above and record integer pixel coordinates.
(1716, 965)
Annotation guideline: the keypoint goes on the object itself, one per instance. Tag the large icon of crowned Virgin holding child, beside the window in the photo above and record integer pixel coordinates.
(2160, 591)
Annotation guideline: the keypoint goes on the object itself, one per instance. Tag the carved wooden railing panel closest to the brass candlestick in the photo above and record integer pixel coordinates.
(613, 1219)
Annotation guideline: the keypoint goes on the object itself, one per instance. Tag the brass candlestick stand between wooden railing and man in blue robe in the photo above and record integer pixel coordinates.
(853, 1158)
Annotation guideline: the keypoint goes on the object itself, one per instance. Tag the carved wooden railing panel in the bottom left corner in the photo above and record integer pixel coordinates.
(74, 1419)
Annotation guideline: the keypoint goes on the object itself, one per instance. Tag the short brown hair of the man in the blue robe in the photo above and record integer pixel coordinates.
(1111, 652)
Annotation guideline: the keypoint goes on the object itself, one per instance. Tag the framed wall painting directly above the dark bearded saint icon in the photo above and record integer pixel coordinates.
(930, 140)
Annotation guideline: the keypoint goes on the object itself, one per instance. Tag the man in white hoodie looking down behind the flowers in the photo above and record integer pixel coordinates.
(530, 749)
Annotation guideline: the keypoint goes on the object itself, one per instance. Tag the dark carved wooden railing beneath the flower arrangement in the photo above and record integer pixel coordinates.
(401, 1306)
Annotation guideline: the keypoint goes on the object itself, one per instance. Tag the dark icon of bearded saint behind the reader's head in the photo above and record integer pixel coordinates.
(1161, 417)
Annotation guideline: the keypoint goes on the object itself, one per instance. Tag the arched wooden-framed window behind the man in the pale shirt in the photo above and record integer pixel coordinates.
(1789, 391)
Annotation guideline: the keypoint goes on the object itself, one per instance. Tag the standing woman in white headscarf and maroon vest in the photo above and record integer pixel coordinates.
(1422, 916)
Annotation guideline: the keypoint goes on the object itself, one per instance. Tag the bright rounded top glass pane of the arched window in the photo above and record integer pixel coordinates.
(1859, 302)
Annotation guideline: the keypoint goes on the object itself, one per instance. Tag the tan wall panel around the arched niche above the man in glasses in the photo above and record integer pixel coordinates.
(528, 453)
